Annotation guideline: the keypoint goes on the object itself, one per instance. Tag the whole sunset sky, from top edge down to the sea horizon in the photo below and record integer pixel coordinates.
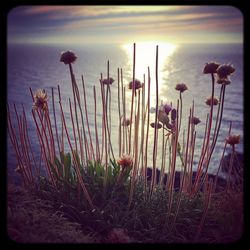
(124, 24)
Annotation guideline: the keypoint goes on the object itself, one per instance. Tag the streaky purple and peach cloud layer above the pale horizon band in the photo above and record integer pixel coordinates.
(122, 21)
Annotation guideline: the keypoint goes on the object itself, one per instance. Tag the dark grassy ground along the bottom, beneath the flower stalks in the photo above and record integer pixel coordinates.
(46, 215)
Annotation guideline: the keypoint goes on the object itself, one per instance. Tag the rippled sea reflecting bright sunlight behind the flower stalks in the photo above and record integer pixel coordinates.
(39, 66)
